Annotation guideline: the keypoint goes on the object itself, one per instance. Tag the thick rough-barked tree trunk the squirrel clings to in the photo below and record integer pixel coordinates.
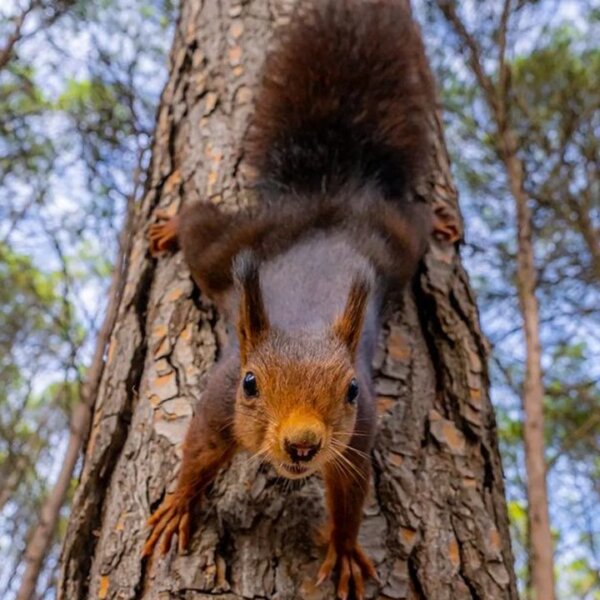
(436, 522)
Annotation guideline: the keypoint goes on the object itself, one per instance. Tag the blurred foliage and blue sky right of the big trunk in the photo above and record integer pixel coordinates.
(553, 98)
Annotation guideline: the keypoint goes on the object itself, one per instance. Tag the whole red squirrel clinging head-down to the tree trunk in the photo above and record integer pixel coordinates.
(338, 139)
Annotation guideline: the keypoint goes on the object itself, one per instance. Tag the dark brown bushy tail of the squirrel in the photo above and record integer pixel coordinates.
(344, 97)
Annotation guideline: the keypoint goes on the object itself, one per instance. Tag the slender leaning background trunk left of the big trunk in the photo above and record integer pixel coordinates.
(43, 534)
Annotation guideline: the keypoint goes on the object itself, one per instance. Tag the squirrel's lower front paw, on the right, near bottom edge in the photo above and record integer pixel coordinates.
(353, 566)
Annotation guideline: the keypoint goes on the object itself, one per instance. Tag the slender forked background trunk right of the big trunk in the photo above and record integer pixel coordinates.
(496, 96)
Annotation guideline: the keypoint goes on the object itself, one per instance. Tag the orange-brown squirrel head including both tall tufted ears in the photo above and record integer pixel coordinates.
(296, 403)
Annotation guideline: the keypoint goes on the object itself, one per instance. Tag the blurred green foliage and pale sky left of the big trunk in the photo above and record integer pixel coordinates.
(77, 105)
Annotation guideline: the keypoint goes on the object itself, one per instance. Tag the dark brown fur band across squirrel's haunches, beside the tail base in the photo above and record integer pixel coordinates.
(390, 237)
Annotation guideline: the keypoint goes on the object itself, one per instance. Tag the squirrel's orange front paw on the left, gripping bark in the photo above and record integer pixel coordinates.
(173, 516)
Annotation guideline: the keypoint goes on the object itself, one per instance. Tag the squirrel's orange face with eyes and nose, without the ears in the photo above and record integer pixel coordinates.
(297, 401)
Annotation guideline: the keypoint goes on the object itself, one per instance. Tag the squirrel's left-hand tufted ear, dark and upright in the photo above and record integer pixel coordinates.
(253, 323)
